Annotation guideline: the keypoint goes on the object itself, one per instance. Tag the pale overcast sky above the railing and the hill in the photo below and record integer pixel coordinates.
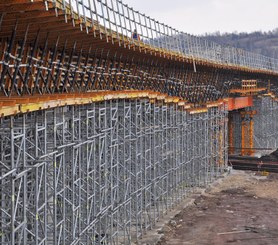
(201, 16)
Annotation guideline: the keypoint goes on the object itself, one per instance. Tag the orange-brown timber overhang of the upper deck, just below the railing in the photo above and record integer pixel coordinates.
(57, 18)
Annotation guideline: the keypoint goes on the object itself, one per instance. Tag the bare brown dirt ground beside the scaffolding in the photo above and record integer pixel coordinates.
(241, 209)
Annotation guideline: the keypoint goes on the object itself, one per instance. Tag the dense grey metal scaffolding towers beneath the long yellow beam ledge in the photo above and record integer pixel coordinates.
(104, 172)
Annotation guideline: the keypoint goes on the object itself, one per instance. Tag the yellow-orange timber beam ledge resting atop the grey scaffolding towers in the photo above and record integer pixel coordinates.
(18, 105)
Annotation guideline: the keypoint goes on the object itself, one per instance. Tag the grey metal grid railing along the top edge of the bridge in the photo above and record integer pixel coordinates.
(114, 16)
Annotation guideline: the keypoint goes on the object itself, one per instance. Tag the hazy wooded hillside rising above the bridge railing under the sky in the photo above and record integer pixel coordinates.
(265, 43)
